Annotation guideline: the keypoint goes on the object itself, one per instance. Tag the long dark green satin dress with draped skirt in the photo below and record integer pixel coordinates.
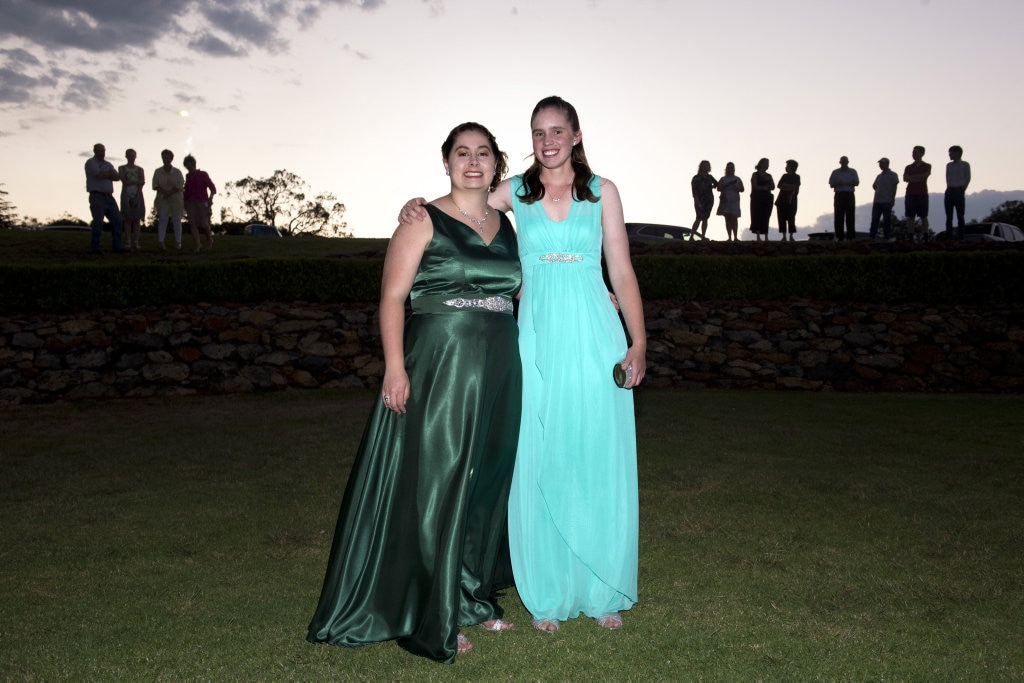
(421, 544)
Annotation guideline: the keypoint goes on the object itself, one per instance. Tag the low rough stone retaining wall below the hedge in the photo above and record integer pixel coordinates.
(225, 349)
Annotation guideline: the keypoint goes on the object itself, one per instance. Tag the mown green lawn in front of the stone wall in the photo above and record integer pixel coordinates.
(784, 537)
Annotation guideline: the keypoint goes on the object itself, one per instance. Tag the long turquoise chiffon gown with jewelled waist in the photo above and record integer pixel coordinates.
(574, 506)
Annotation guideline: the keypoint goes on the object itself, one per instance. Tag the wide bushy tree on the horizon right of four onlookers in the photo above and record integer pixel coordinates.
(284, 201)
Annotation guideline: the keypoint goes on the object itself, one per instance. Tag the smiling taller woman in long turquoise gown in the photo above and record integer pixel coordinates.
(574, 506)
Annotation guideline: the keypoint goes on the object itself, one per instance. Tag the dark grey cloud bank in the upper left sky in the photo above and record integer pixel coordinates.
(53, 34)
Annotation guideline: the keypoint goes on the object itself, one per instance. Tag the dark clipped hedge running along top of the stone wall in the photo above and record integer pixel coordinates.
(976, 277)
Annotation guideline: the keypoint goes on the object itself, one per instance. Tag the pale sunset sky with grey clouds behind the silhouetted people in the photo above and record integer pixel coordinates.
(357, 98)
